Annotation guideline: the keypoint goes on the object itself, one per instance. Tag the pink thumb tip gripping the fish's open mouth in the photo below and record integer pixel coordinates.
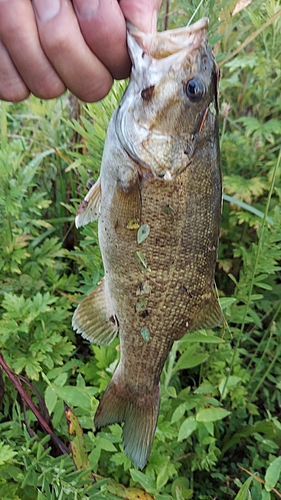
(141, 13)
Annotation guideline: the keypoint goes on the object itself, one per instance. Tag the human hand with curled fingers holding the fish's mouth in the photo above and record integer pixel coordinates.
(47, 46)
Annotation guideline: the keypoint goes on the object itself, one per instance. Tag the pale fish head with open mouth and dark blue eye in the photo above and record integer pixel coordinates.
(172, 88)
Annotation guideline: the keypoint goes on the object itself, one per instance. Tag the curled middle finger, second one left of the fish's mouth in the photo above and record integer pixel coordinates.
(66, 49)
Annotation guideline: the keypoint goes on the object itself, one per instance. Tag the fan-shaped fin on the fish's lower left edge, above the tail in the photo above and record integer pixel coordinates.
(93, 319)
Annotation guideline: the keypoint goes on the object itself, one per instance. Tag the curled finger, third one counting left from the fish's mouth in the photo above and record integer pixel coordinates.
(18, 32)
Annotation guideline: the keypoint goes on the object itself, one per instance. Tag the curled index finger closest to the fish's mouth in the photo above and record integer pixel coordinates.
(104, 29)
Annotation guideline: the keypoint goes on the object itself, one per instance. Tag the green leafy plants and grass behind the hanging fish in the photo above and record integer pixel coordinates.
(219, 430)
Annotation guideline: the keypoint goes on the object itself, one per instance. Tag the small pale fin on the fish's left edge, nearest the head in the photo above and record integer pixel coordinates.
(88, 210)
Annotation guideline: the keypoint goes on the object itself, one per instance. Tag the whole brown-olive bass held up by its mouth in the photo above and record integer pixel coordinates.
(158, 205)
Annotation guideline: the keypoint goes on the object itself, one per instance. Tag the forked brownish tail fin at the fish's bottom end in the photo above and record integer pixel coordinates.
(139, 412)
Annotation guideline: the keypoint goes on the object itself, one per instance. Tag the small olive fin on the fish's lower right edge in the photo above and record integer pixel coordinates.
(209, 314)
